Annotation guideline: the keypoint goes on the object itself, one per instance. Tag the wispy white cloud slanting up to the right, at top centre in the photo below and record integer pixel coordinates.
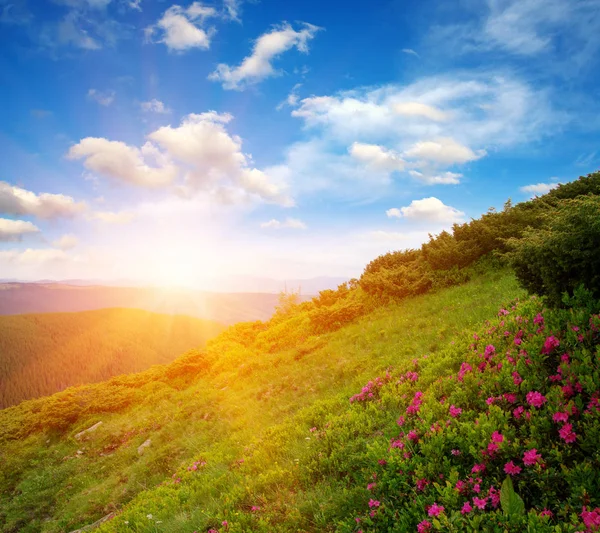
(267, 48)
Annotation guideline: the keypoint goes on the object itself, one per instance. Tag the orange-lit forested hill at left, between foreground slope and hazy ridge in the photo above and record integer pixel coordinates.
(41, 354)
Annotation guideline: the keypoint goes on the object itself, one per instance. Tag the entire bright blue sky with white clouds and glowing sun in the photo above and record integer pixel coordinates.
(174, 142)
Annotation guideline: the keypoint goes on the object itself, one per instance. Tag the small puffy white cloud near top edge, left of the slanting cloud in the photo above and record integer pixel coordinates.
(181, 29)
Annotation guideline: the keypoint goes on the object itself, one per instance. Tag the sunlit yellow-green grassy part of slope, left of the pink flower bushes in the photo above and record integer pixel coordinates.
(241, 397)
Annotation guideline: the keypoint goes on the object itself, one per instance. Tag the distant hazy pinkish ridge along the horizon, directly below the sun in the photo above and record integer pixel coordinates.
(226, 308)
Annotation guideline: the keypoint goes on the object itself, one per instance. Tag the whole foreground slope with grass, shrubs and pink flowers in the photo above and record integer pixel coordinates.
(431, 394)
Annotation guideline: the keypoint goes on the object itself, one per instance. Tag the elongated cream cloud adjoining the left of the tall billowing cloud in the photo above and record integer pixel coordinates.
(117, 160)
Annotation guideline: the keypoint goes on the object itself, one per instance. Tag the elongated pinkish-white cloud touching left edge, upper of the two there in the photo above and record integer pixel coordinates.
(17, 201)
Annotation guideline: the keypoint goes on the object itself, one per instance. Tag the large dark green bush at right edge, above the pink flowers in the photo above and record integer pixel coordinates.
(564, 254)
